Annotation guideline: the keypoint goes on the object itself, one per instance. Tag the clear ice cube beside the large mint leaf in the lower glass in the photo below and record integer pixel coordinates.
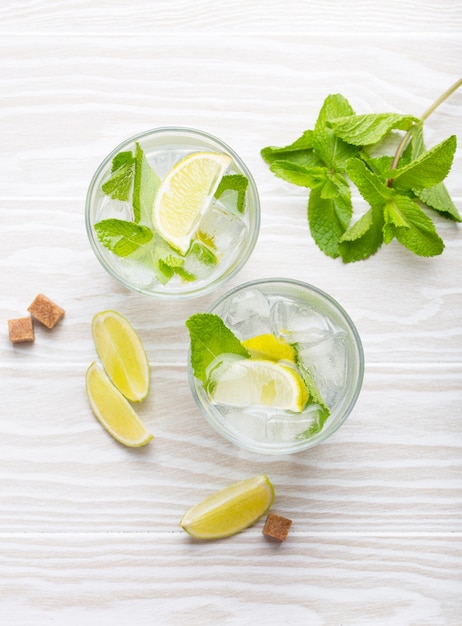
(247, 313)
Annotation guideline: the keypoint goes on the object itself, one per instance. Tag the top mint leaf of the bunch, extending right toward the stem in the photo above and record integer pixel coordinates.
(363, 130)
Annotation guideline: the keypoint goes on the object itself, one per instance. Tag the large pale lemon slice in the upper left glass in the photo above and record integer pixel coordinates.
(184, 196)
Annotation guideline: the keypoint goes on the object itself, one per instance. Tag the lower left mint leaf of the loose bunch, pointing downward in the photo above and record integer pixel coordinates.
(329, 218)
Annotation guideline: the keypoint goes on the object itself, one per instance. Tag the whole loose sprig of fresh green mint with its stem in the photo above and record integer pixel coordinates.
(339, 152)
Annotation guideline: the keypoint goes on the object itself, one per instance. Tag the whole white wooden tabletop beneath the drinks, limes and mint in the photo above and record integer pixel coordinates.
(89, 530)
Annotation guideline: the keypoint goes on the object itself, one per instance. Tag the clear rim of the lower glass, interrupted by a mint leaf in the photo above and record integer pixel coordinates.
(270, 449)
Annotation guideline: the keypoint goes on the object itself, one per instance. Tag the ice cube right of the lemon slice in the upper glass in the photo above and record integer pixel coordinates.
(225, 230)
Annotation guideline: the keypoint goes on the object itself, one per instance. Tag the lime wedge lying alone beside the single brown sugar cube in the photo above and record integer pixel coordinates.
(230, 510)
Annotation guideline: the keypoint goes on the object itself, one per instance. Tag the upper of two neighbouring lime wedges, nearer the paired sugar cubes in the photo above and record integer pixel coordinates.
(122, 354)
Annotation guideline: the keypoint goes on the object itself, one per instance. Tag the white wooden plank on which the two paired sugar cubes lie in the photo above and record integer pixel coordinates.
(418, 324)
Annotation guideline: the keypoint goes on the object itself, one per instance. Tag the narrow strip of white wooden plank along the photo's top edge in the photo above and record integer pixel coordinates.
(274, 15)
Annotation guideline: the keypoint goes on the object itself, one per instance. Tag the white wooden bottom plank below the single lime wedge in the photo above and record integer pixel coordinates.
(308, 580)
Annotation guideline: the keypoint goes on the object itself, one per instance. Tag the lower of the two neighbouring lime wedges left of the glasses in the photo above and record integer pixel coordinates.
(113, 410)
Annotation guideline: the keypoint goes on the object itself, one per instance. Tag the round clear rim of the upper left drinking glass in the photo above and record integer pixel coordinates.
(190, 291)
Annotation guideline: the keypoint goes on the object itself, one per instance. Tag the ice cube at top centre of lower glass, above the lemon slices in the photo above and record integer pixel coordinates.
(298, 323)
